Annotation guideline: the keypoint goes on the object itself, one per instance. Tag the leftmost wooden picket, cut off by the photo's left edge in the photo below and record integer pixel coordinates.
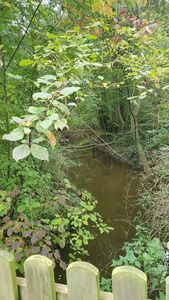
(8, 285)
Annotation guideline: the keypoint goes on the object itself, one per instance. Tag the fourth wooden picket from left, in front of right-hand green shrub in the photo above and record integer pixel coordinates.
(129, 283)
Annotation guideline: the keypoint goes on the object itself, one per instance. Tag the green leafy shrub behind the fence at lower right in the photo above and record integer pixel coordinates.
(147, 254)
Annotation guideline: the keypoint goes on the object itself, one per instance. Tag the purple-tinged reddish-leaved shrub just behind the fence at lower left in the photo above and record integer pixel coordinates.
(23, 238)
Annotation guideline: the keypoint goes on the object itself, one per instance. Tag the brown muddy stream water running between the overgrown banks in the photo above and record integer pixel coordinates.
(115, 187)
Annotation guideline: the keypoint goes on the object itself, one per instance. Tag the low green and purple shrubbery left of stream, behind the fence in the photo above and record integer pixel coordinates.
(45, 217)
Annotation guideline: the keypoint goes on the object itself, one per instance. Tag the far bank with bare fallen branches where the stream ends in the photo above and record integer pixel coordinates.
(118, 147)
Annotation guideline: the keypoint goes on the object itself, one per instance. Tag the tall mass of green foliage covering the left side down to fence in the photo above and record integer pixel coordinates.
(40, 211)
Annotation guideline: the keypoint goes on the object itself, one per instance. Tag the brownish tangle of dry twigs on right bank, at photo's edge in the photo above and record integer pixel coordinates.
(154, 195)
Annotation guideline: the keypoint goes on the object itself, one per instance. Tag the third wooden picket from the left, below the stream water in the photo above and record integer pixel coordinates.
(83, 281)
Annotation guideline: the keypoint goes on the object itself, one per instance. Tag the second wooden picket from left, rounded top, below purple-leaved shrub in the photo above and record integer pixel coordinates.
(40, 284)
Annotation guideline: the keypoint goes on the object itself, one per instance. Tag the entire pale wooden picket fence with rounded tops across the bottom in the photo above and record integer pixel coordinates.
(129, 283)
